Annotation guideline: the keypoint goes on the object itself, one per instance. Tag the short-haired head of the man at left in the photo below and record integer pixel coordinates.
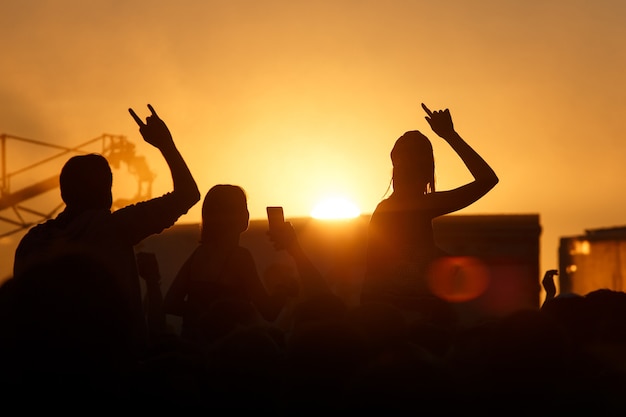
(86, 182)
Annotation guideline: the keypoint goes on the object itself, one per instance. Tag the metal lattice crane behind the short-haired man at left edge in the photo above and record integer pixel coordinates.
(18, 202)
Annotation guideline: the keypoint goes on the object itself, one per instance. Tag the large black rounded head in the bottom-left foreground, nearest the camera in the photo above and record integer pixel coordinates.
(66, 337)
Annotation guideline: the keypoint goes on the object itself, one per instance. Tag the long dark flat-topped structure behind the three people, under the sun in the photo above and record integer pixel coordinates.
(494, 269)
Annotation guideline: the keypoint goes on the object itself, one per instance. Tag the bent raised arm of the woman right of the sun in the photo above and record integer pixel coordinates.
(484, 177)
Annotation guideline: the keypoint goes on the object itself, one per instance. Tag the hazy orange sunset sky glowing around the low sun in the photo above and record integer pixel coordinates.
(297, 100)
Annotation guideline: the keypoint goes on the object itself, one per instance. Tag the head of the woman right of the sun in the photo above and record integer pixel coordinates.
(413, 163)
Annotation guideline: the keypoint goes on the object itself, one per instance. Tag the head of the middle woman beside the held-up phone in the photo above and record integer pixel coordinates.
(224, 211)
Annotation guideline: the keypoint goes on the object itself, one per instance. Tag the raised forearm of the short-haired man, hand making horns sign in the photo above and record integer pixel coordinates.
(156, 133)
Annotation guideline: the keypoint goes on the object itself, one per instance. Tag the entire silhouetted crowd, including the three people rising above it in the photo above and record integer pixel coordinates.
(79, 333)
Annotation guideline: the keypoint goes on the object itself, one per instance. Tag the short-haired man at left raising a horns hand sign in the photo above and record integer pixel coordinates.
(89, 228)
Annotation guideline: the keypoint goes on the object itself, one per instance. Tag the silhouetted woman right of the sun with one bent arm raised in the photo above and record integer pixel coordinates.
(401, 241)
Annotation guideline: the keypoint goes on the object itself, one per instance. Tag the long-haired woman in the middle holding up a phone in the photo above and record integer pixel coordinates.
(221, 271)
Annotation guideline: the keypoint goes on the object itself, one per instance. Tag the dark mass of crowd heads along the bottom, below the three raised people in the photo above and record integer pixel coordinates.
(66, 345)
